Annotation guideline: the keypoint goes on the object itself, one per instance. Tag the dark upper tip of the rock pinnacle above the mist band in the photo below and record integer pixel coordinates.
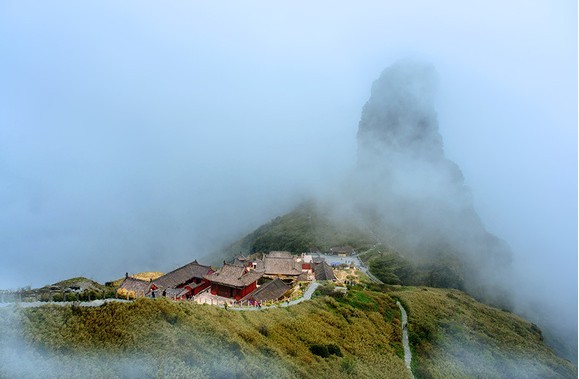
(399, 118)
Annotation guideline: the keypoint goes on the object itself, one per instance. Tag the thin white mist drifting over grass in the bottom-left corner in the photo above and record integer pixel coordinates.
(22, 359)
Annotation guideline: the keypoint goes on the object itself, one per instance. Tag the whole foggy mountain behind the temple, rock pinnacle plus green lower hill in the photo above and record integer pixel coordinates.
(404, 196)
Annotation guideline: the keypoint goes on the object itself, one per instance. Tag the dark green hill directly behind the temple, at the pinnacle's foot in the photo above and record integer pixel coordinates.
(312, 226)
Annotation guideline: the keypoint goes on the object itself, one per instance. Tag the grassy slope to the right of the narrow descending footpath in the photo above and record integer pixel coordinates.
(454, 336)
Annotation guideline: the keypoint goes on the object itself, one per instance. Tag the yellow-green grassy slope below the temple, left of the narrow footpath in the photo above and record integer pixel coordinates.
(188, 340)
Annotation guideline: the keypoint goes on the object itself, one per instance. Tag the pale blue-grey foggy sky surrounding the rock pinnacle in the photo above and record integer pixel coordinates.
(141, 135)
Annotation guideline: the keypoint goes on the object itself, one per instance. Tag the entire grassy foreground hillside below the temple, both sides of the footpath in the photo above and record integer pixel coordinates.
(358, 335)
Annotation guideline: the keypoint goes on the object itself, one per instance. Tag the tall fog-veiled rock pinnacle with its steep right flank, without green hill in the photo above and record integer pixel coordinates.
(417, 195)
